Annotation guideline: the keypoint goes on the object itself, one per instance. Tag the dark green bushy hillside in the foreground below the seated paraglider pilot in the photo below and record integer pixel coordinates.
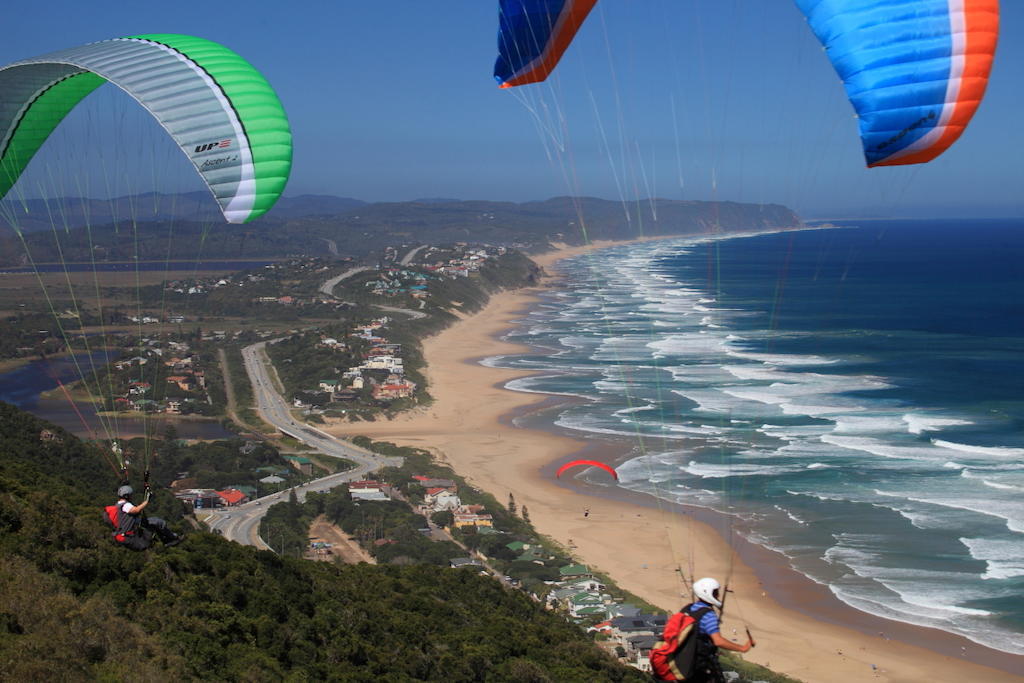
(76, 608)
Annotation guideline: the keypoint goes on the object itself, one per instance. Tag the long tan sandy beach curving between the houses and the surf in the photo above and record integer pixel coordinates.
(800, 628)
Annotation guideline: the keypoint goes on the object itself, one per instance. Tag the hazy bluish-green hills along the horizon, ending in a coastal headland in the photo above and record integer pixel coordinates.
(309, 224)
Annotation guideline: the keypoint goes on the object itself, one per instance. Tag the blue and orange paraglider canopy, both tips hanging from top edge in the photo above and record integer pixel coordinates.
(915, 72)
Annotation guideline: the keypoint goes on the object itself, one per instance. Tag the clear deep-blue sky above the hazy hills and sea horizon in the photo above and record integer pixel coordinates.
(692, 100)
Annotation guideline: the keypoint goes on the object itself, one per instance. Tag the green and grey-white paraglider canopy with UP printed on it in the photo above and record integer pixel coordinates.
(217, 107)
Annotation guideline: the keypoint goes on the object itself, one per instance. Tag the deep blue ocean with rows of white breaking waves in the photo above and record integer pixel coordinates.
(852, 397)
